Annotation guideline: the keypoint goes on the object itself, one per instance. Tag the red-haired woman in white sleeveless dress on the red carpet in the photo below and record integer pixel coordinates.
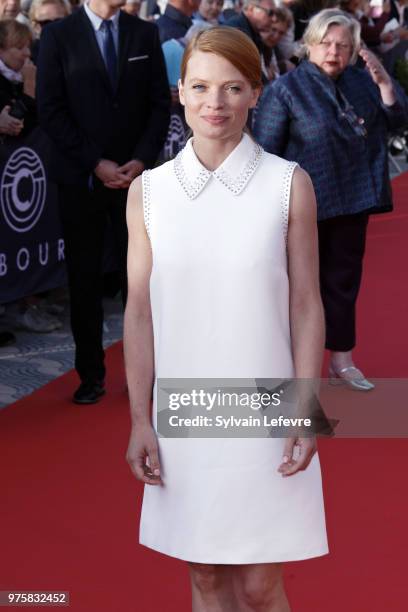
(223, 283)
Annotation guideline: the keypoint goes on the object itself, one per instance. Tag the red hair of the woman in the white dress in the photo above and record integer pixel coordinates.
(231, 44)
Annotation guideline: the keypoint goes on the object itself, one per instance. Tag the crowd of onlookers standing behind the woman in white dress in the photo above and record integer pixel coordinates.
(103, 86)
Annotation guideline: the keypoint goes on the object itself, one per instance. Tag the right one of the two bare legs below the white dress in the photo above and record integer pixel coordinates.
(259, 588)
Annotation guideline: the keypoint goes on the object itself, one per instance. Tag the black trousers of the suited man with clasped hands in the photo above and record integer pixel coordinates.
(85, 215)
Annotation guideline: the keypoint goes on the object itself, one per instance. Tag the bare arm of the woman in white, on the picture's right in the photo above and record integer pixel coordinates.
(306, 310)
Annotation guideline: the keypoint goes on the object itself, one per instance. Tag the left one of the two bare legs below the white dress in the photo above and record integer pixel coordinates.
(212, 589)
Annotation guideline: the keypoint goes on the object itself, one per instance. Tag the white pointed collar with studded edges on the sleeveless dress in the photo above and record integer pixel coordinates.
(234, 173)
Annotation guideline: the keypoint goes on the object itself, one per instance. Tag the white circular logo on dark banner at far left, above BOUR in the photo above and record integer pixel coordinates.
(23, 189)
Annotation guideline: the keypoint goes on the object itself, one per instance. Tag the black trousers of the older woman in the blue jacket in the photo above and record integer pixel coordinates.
(341, 251)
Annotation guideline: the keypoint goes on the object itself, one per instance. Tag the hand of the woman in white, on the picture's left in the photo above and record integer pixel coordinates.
(142, 445)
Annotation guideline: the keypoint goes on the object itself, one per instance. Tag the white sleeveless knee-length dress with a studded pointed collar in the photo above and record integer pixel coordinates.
(220, 305)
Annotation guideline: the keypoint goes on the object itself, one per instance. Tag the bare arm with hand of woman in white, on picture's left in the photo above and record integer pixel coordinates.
(138, 343)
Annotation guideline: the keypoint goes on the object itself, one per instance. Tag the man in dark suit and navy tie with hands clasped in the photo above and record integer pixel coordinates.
(103, 99)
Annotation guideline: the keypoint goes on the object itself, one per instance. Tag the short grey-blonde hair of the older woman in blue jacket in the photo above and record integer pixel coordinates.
(320, 23)
